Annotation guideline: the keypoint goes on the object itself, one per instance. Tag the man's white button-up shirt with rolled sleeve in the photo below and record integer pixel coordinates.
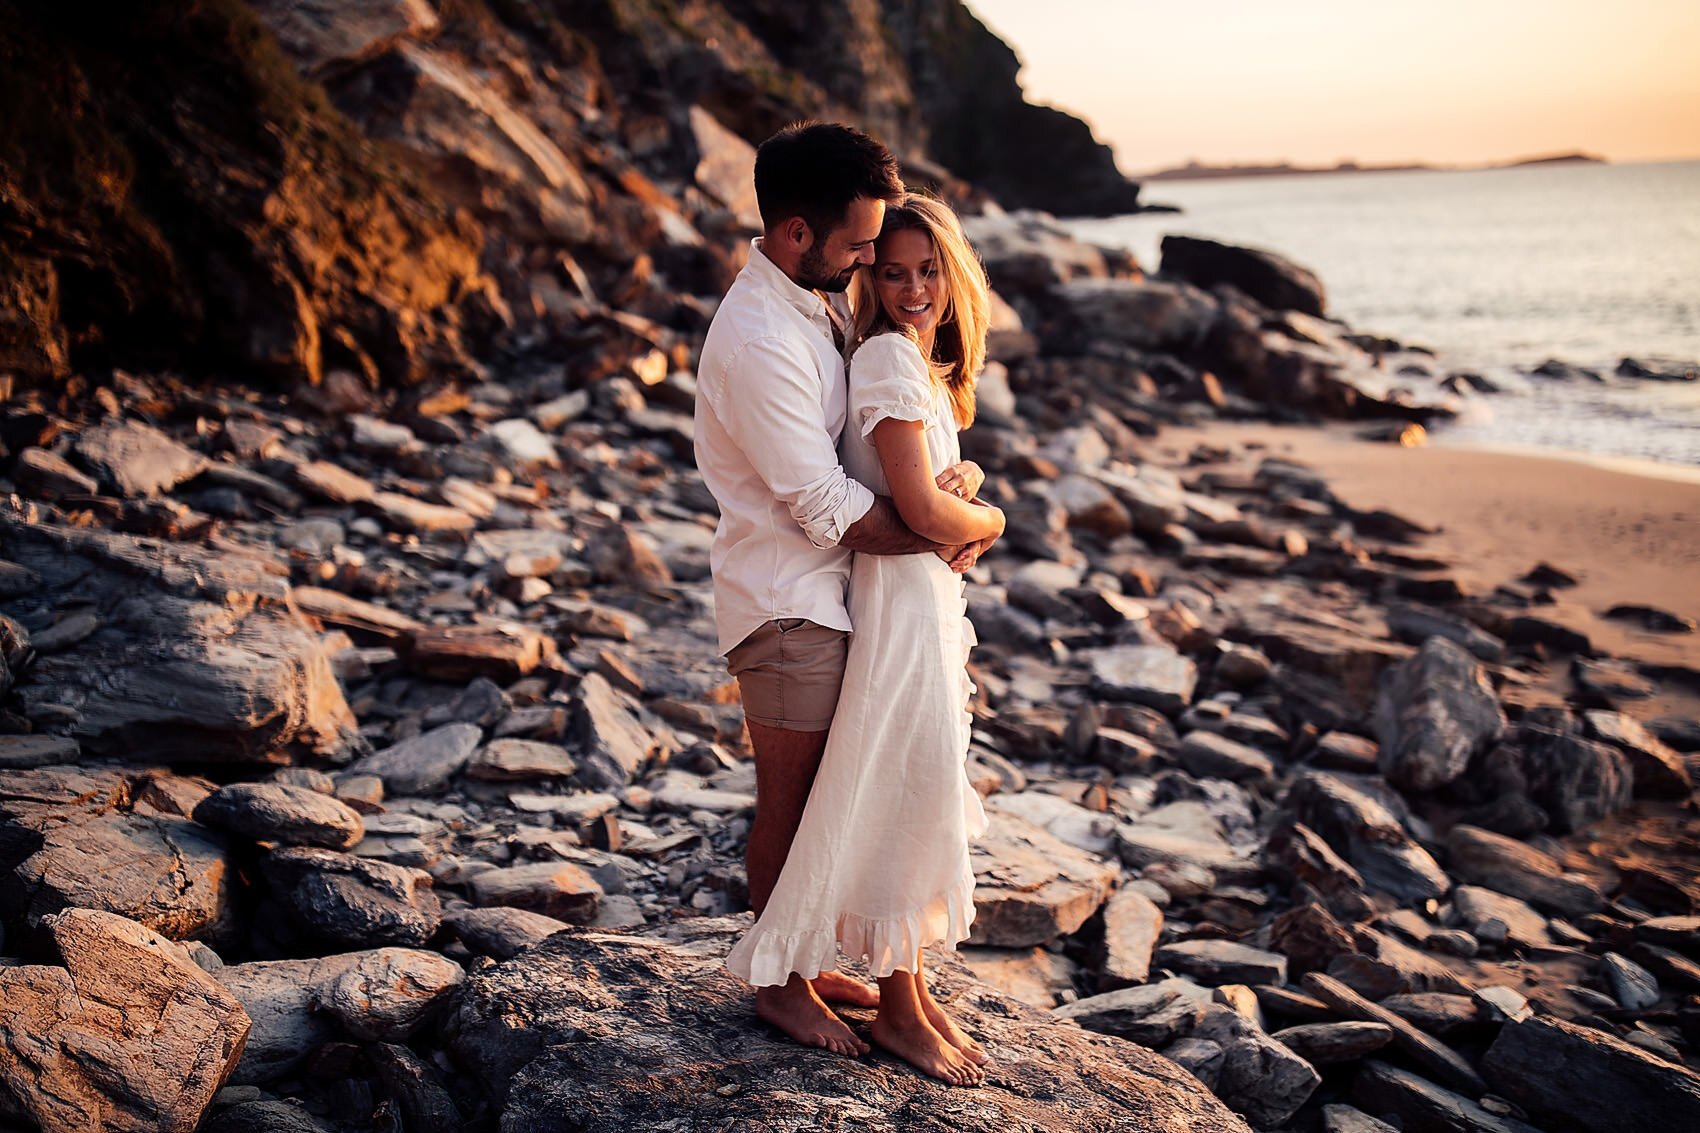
(771, 406)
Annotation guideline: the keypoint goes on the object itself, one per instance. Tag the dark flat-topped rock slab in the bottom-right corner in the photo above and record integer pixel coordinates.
(1606, 1085)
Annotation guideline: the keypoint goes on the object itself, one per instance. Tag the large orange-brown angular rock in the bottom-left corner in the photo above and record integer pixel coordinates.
(130, 1035)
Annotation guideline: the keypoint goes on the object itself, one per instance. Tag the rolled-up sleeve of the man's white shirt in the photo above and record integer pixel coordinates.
(771, 406)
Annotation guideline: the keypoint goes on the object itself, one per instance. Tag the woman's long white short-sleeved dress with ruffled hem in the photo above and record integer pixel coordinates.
(880, 867)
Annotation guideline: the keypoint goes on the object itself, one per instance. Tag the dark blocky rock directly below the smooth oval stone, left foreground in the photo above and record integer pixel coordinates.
(353, 902)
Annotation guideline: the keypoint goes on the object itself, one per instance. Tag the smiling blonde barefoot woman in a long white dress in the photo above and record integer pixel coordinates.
(880, 865)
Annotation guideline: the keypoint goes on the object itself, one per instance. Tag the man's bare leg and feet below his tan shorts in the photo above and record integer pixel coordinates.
(785, 771)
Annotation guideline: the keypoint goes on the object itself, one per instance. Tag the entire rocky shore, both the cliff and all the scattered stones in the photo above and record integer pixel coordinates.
(365, 754)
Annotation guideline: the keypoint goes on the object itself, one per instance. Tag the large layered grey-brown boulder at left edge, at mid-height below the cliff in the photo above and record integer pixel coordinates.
(196, 656)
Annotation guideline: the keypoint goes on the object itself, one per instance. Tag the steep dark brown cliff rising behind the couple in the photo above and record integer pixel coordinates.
(402, 188)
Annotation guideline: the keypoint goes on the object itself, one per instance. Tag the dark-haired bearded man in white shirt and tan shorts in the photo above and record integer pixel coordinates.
(771, 406)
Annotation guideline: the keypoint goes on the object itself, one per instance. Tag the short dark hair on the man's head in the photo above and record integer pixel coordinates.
(817, 169)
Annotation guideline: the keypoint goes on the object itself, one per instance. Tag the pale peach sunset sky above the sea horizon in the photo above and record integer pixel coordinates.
(1325, 81)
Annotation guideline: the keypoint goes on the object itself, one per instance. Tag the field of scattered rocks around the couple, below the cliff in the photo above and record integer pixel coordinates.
(392, 731)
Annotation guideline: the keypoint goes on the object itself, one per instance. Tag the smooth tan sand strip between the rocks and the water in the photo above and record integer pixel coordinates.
(1628, 532)
